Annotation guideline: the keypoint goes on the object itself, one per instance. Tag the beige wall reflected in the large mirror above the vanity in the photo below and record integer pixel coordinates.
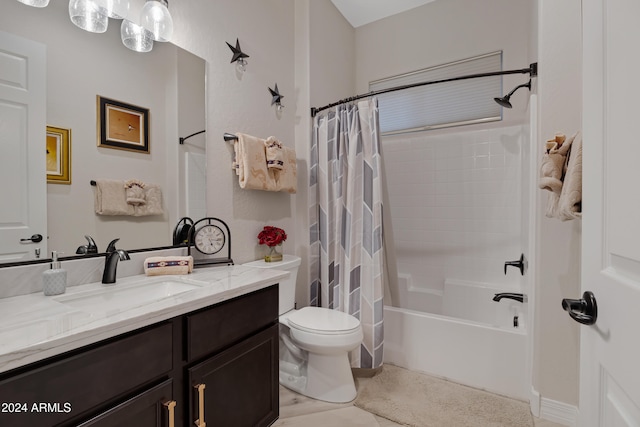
(168, 81)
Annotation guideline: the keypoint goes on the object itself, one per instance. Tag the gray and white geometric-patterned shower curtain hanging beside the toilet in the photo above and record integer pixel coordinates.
(347, 254)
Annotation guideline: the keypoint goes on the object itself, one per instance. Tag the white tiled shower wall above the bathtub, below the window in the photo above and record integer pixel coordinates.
(455, 209)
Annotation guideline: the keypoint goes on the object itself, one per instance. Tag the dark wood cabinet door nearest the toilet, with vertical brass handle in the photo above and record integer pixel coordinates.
(240, 384)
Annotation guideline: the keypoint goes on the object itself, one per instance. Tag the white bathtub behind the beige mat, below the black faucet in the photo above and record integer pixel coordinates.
(473, 342)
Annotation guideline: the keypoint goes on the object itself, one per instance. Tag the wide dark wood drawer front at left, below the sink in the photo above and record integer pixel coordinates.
(68, 388)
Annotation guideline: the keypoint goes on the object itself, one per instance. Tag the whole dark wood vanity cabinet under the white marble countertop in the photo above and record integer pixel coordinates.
(218, 365)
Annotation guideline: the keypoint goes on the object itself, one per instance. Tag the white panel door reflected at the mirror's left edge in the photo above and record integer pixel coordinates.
(23, 184)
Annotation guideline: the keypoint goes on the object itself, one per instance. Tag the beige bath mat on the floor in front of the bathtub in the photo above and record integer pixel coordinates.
(420, 400)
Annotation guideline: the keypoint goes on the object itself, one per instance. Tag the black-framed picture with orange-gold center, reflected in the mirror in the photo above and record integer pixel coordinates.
(122, 126)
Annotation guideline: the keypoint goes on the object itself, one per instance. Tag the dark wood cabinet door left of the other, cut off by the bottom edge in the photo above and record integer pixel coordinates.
(152, 408)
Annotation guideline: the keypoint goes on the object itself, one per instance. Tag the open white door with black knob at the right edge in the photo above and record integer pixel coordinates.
(610, 349)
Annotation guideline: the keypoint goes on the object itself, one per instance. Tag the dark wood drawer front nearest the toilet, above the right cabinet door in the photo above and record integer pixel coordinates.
(217, 327)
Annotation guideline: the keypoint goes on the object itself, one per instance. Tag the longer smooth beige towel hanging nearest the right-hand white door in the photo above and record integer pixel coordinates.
(570, 202)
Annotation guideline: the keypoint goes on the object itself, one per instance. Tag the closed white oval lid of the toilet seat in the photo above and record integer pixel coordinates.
(323, 321)
